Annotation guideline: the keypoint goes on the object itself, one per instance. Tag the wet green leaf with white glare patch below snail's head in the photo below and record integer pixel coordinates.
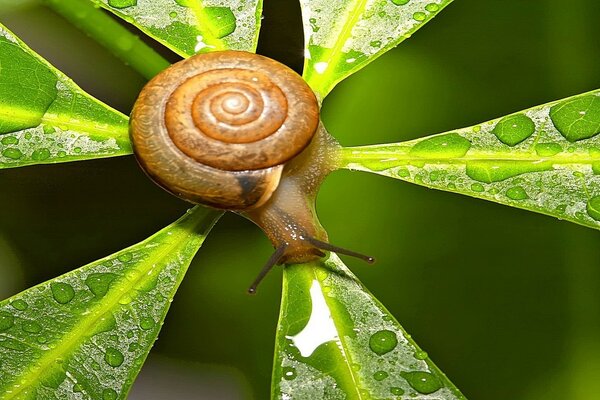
(336, 341)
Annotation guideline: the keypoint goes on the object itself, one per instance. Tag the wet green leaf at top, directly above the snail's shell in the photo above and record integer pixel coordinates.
(194, 26)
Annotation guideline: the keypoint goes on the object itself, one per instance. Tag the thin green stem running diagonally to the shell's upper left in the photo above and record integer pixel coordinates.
(109, 33)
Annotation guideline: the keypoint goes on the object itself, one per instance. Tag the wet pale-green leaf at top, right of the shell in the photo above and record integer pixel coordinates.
(343, 36)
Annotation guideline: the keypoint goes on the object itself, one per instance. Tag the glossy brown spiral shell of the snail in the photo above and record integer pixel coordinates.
(217, 128)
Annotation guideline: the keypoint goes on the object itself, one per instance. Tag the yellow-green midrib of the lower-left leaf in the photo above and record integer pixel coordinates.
(73, 339)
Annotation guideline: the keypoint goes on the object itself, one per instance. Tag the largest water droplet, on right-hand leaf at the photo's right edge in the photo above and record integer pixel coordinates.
(577, 118)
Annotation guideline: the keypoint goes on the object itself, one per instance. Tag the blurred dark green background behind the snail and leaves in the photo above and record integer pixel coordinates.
(506, 302)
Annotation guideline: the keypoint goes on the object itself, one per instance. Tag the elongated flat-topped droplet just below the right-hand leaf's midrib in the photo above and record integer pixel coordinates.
(495, 171)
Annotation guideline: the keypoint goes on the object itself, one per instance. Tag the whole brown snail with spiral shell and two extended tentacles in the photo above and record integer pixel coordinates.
(240, 132)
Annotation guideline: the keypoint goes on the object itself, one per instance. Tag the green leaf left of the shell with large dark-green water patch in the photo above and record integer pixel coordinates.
(46, 118)
